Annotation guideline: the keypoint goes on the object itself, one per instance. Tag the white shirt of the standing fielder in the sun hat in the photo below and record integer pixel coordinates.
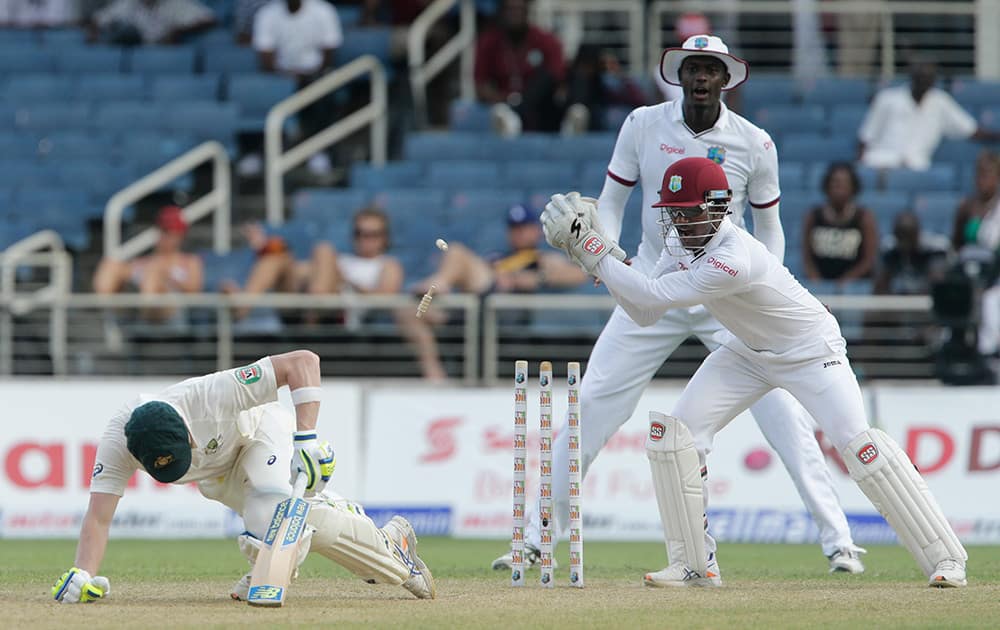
(652, 138)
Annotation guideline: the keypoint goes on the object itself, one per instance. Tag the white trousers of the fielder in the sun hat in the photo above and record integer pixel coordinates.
(623, 362)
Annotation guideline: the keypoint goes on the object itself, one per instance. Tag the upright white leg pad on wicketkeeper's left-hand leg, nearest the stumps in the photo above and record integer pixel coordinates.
(676, 471)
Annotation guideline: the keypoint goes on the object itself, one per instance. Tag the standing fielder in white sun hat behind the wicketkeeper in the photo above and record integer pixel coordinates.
(626, 355)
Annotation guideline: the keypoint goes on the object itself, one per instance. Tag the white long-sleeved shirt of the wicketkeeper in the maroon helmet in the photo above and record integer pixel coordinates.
(742, 285)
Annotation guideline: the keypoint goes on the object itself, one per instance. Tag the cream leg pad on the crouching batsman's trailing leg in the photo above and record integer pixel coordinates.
(355, 543)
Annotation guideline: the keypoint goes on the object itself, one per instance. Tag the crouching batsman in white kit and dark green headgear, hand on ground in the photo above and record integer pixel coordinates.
(226, 432)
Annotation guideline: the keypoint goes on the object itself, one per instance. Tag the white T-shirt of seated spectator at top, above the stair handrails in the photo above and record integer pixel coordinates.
(297, 39)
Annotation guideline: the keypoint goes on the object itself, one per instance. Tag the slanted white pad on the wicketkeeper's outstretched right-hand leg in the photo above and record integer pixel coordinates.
(889, 479)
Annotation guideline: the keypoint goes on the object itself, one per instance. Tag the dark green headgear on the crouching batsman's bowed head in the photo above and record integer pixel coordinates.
(157, 436)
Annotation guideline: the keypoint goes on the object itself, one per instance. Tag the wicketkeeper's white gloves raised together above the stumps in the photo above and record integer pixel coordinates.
(570, 230)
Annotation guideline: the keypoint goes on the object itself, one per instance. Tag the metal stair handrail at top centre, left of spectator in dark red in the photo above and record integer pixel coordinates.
(461, 43)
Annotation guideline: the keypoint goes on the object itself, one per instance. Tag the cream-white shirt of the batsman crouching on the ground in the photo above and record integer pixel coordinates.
(215, 409)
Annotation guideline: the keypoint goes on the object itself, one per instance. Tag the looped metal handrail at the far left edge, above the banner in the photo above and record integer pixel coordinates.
(31, 251)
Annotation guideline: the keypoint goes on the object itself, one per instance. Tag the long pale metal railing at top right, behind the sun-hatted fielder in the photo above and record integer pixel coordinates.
(882, 8)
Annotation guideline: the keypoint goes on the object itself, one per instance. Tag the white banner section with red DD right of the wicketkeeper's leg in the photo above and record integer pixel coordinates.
(953, 437)
